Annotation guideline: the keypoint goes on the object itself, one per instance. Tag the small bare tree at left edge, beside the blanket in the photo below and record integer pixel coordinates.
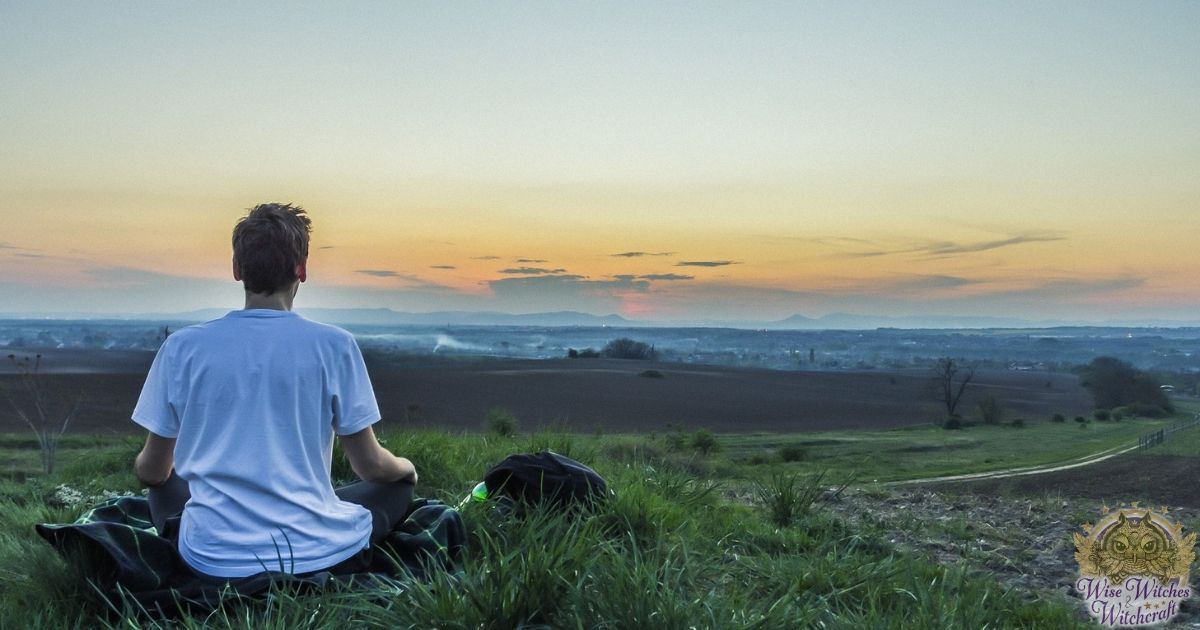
(47, 421)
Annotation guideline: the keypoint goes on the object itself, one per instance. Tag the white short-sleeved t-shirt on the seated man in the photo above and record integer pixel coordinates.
(254, 400)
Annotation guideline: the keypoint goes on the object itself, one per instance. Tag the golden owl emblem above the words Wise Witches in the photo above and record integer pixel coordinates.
(1136, 543)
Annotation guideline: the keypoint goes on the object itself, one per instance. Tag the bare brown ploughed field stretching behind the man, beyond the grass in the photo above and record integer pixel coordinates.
(598, 393)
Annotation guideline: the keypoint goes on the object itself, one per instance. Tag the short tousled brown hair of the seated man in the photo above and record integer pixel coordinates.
(268, 244)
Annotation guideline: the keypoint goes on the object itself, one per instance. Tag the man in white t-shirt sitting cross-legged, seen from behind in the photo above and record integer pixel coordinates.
(242, 415)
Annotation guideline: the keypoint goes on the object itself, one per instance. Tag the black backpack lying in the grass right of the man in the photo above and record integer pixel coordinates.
(545, 477)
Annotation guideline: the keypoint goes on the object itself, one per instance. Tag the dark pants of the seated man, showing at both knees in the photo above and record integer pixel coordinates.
(388, 505)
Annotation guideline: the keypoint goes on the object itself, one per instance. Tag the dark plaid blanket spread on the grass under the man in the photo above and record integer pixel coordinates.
(119, 550)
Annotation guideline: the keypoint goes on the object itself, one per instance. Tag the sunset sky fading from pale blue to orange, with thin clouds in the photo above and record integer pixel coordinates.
(662, 161)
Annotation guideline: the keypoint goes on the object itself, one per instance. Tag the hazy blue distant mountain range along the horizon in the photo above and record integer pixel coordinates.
(573, 319)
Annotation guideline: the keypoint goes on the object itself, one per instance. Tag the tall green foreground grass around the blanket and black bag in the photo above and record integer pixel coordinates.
(669, 550)
